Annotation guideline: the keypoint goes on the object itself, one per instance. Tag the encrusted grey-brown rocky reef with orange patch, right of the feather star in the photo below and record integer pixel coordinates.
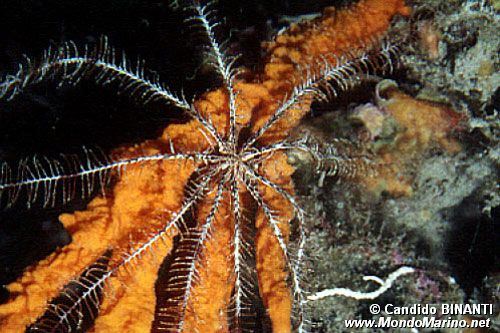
(438, 210)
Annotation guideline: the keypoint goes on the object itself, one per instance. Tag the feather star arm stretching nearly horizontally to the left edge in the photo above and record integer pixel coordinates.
(53, 181)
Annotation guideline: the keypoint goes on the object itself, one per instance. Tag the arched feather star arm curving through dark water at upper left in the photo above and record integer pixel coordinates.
(105, 65)
